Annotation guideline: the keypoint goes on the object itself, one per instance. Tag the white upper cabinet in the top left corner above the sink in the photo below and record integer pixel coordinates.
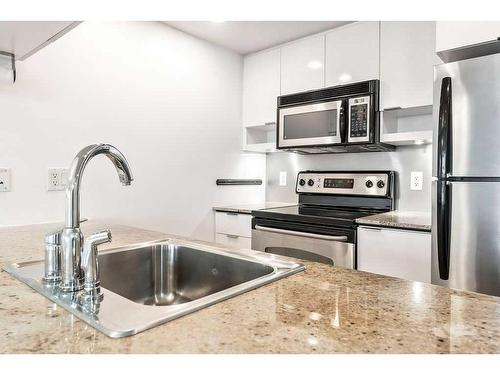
(24, 38)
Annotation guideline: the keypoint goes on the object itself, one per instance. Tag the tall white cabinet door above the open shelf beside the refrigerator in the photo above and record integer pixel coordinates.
(407, 58)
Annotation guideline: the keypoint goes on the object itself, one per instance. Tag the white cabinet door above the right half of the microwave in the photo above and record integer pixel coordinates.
(352, 53)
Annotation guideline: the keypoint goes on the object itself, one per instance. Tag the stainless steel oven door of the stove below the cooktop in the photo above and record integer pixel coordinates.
(335, 250)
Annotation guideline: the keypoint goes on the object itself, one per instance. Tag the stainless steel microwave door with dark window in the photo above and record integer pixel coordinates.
(310, 125)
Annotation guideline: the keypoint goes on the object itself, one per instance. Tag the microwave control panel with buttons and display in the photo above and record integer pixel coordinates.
(359, 119)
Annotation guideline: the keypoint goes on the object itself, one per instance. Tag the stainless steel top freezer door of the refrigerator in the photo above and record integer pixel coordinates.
(474, 120)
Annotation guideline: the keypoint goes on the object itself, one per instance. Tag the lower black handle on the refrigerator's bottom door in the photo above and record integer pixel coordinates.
(443, 228)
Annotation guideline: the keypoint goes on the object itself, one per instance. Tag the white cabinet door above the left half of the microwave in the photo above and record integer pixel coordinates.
(302, 65)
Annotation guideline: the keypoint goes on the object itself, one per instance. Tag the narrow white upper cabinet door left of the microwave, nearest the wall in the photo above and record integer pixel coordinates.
(261, 87)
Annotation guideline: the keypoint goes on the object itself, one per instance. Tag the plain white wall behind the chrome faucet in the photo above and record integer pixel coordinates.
(170, 102)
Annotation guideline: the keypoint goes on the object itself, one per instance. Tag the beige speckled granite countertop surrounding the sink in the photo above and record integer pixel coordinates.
(321, 310)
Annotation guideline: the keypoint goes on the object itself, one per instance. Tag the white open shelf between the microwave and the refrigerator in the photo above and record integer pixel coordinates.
(407, 126)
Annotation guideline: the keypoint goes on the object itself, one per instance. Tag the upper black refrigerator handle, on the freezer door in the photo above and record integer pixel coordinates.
(444, 151)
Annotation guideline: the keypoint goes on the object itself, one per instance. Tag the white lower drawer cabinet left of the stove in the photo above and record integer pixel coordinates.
(233, 229)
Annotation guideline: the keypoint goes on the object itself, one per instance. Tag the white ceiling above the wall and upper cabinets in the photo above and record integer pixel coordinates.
(251, 36)
